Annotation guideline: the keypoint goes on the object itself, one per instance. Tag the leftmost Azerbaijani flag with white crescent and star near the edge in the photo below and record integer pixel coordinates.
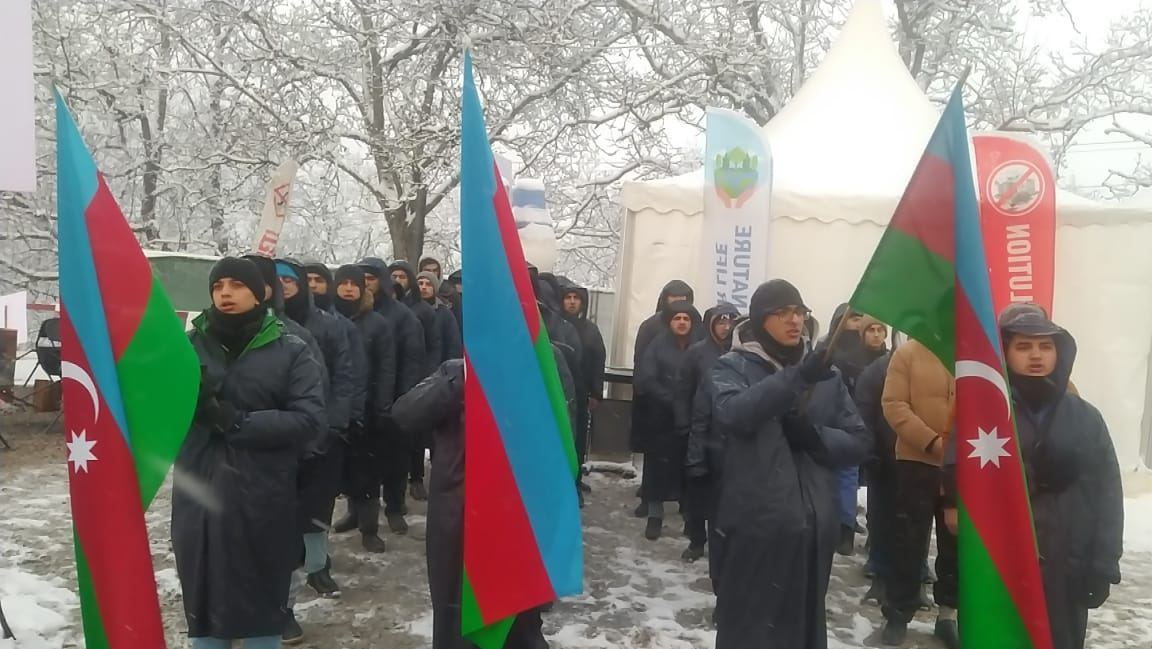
(131, 381)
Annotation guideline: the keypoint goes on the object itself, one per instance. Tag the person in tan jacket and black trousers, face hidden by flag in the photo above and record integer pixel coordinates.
(919, 397)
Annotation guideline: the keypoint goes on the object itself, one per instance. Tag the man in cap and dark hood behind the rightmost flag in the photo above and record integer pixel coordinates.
(1074, 480)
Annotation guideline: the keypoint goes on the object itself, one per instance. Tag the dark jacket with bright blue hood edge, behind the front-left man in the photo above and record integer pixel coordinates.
(332, 341)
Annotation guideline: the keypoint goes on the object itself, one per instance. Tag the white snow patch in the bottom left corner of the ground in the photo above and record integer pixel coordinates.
(39, 610)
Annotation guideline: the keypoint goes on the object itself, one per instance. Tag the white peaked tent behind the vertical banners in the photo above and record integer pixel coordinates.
(844, 150)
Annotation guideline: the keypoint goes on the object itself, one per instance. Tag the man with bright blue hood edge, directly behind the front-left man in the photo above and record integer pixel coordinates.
(320, 473)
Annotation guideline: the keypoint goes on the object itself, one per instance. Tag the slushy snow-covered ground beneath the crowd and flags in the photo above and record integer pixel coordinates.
(639, 594)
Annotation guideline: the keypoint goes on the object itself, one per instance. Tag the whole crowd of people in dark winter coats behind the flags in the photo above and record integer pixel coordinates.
(320, 383)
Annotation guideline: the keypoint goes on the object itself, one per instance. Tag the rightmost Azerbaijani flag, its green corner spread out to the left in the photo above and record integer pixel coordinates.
(930, 280)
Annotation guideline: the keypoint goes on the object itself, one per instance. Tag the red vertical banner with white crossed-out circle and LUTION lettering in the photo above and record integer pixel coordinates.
(1019, 220)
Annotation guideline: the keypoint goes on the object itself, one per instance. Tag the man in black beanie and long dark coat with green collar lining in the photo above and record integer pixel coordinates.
(234, 529)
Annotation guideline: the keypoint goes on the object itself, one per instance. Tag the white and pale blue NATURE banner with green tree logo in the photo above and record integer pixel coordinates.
(738, 191)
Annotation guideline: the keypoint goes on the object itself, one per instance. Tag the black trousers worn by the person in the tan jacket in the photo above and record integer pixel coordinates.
(918, 505)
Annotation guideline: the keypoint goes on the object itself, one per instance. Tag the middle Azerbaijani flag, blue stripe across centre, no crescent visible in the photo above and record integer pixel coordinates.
(522, 530)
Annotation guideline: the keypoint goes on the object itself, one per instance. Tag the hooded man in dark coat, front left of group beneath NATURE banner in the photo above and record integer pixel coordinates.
(658, 381)
